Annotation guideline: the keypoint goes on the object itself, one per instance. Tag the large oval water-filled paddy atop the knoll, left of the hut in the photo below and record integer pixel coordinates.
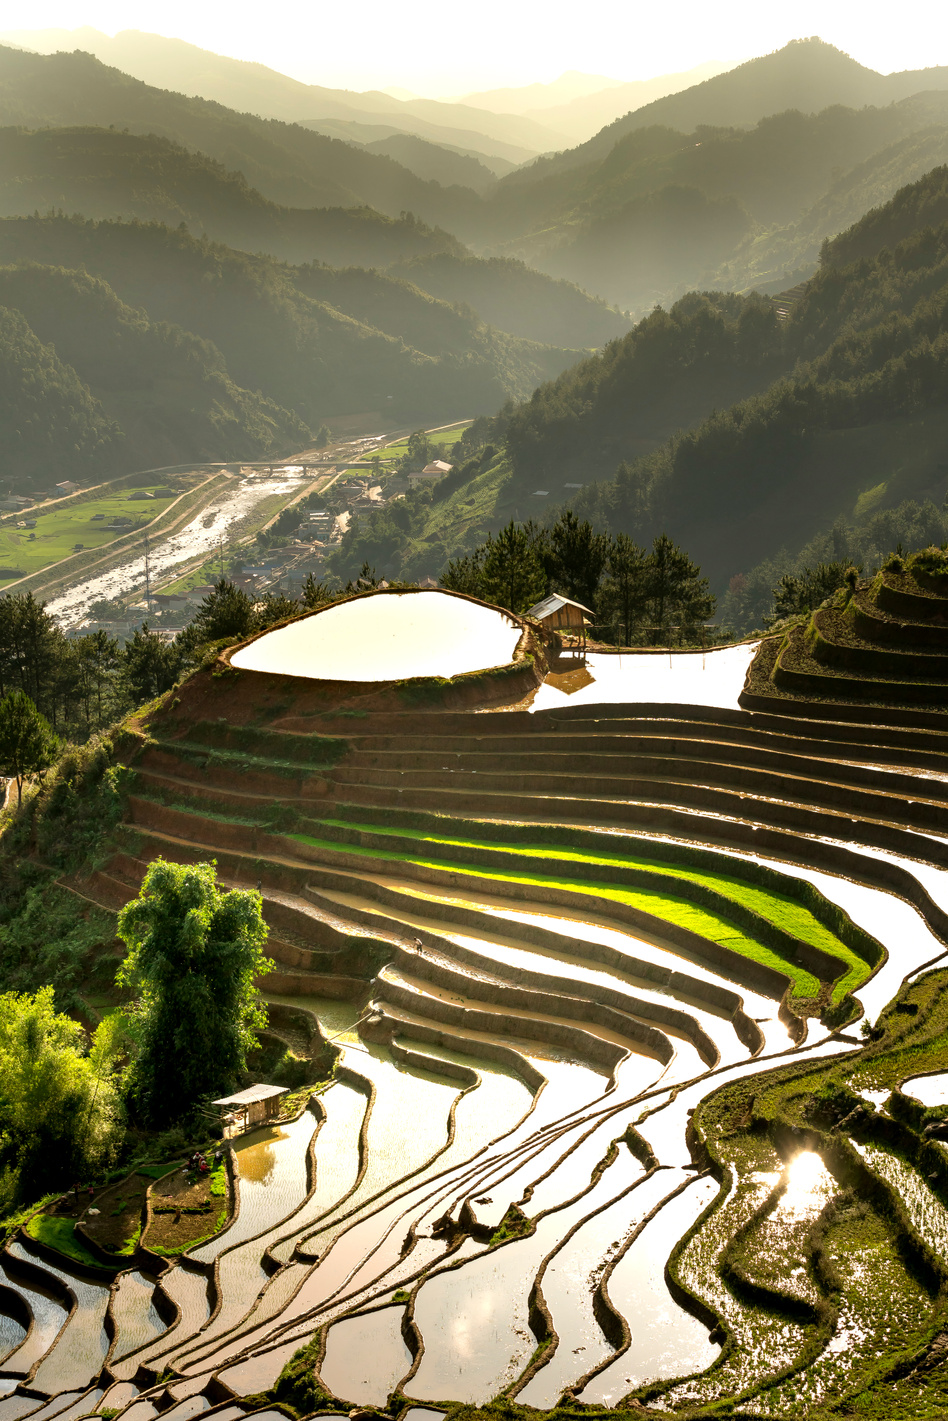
(387, 637)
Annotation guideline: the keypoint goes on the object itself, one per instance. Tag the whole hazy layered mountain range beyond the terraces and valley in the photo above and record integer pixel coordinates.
(383, 275)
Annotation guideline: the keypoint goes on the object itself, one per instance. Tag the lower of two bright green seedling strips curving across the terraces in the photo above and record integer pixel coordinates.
(679, 912)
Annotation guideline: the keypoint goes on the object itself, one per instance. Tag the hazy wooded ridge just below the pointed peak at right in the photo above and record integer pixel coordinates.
(669, 210)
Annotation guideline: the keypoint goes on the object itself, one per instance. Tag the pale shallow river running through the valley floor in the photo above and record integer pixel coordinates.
(221, 519)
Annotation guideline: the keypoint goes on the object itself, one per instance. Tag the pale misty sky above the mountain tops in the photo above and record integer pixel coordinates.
(448, 49)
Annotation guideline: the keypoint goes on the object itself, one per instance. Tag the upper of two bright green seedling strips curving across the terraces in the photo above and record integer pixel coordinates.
(781, 910)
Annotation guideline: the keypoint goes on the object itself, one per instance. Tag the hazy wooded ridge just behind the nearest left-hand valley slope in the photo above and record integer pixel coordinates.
(298, 349)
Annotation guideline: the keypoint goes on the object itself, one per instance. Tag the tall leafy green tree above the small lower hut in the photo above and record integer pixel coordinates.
(194, 957)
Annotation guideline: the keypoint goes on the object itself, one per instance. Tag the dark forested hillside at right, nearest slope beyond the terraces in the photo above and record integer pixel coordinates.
(842, 413)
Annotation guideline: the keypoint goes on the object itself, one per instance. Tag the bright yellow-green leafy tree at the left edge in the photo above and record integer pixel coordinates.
(59, 1103)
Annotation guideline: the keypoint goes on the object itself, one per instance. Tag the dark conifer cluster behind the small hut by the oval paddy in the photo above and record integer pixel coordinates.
(639, 596)
